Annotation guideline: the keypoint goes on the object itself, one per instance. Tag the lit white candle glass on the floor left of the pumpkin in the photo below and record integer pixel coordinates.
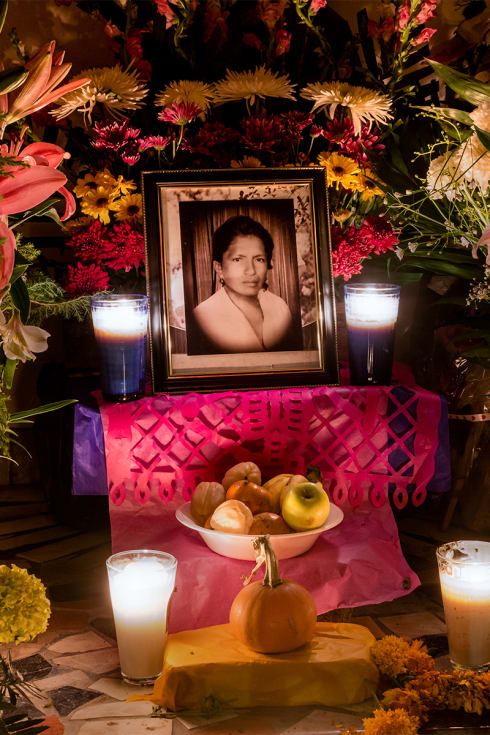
(141, 583)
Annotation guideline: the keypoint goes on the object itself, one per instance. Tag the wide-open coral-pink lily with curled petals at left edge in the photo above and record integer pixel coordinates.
(29, 186)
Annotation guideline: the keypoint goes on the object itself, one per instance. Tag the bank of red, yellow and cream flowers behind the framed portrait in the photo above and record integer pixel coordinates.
(263, 110)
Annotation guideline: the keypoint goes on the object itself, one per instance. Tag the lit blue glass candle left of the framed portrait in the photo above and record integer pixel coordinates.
(120, 325)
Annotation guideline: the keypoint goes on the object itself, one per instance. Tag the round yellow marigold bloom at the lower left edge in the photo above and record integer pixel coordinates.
(24, 607)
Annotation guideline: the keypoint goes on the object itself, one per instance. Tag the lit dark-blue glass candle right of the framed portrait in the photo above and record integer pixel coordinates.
(371, 310)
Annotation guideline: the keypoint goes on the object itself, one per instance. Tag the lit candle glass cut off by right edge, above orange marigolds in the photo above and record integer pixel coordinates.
(464, 573)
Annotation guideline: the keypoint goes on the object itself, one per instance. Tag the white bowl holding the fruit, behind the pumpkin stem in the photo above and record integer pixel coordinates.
(240, 546)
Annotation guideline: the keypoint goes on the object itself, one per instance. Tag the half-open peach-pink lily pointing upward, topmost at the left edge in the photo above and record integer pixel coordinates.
(46, 71)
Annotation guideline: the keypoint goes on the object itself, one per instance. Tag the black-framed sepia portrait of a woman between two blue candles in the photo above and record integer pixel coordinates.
(239, 279)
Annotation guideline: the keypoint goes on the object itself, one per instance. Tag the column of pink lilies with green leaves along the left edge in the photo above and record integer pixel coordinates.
(30, 179)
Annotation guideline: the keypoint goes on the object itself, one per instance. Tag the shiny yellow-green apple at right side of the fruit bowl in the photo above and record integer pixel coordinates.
(305, 507)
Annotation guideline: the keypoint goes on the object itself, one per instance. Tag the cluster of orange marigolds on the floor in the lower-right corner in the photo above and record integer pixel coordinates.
(420, 689)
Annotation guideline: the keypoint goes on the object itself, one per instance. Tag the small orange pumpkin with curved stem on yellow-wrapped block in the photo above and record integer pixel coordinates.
(275, 615)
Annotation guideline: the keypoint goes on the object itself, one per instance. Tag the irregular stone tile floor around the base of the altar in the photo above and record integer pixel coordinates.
(74, 664)
